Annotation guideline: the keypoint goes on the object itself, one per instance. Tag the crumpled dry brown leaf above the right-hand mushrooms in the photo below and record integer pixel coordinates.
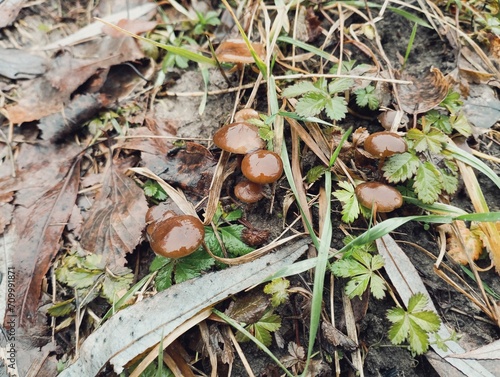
(424, 94)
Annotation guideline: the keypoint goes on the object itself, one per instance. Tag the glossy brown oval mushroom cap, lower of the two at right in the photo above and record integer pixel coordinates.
(387, 198)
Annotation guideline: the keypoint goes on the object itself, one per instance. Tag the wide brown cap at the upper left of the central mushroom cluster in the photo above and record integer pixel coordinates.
(238, 137)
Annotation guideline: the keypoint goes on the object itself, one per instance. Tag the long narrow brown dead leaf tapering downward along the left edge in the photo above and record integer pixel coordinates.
(39, 230)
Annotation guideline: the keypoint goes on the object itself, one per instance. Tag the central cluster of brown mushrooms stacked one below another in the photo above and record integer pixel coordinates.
(259, 165)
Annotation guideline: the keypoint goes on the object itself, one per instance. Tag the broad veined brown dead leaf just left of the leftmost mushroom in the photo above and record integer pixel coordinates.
(117, 218)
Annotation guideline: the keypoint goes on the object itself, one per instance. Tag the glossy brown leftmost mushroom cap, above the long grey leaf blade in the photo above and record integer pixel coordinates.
(177, 236)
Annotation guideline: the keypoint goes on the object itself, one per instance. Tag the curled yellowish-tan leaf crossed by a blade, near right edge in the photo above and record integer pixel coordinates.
(473, 244)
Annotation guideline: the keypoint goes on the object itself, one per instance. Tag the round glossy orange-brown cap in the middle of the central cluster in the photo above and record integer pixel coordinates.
(262, 166)
